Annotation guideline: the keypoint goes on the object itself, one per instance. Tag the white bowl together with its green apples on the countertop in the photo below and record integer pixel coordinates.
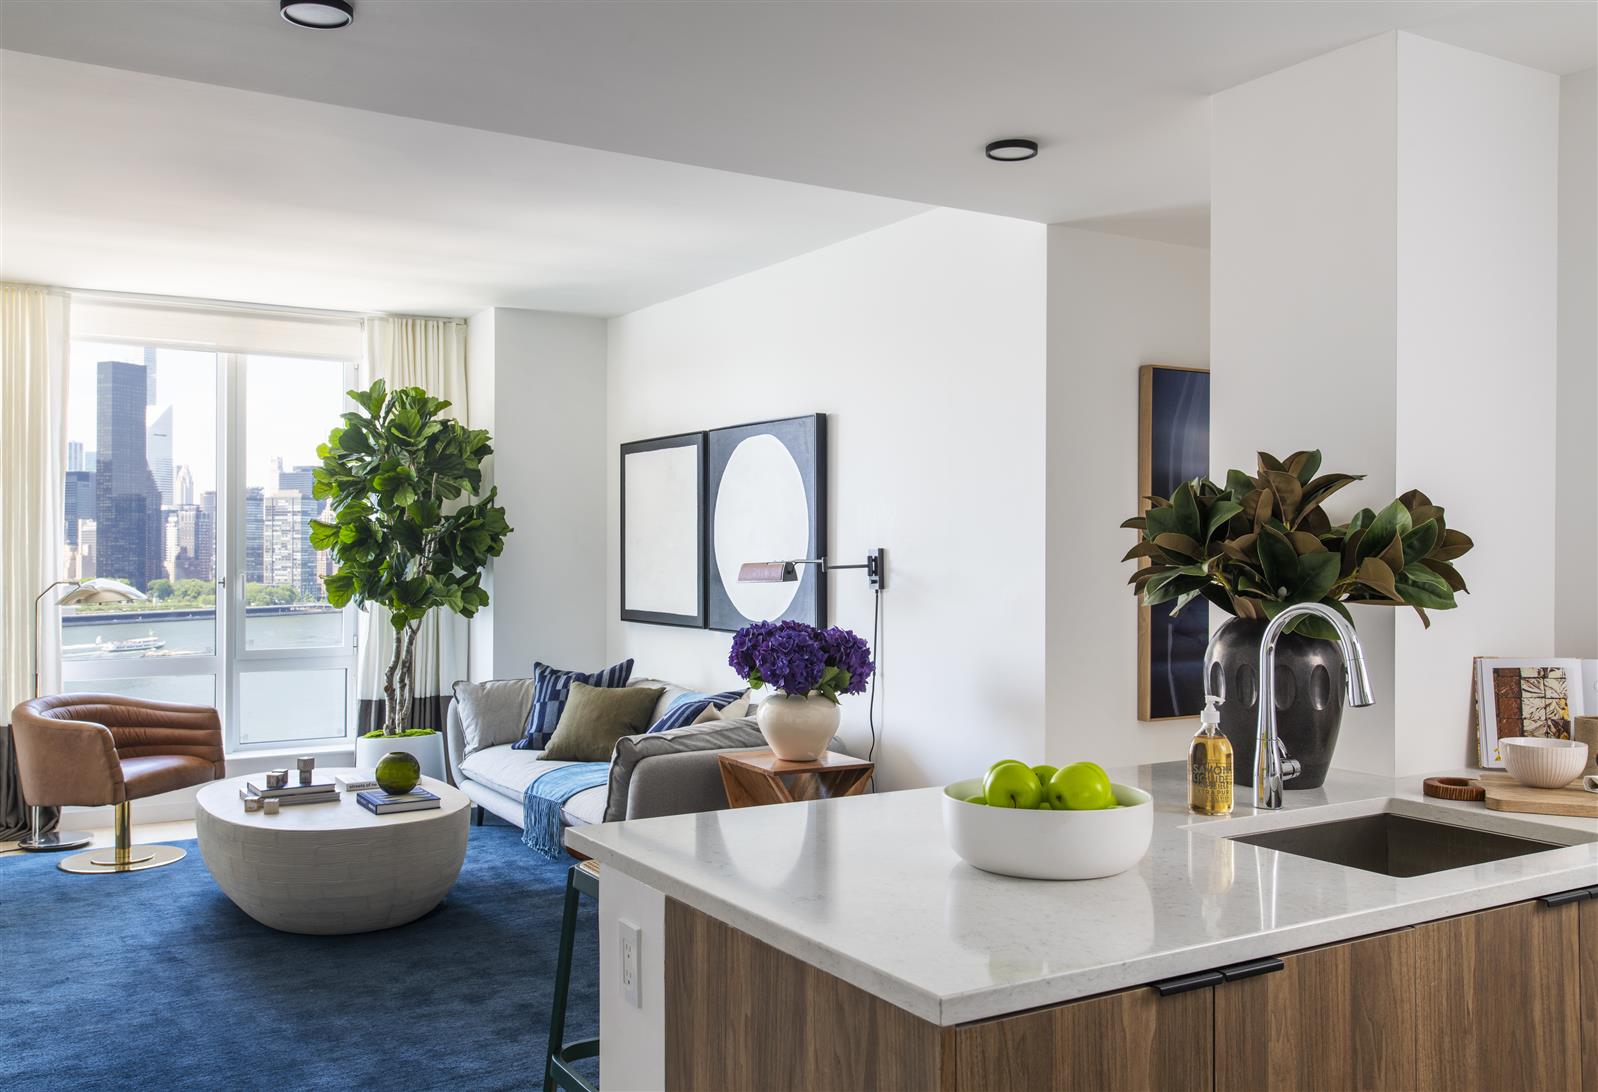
(1039, 823)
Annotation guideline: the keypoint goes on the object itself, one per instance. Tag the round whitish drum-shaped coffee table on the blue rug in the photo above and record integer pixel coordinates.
(335, 867)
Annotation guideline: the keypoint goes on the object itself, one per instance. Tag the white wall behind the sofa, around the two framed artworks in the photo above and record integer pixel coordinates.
(924, 343)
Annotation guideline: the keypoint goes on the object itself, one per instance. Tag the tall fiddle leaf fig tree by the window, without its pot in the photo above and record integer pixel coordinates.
(410, 532)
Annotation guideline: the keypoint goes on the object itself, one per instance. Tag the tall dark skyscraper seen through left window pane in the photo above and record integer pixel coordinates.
(127, 503)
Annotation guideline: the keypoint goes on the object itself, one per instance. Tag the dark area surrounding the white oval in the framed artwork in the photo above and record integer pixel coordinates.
(806, 442)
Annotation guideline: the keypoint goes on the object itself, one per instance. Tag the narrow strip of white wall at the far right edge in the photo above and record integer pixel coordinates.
(1576, 524)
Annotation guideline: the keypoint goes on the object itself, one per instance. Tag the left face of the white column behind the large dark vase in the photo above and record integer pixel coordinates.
(1303, 316)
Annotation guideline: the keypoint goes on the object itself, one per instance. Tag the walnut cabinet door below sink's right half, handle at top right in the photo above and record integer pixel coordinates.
(1500, 1000)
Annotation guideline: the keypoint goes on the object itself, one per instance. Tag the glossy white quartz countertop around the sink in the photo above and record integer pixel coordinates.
(869, 890)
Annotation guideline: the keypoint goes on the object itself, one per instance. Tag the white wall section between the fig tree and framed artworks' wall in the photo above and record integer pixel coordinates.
(538, 381)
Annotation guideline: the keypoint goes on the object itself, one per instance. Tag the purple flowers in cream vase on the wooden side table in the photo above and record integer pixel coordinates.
(809, 669)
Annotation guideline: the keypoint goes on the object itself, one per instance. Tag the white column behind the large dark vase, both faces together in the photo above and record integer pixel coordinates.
(1383, 284)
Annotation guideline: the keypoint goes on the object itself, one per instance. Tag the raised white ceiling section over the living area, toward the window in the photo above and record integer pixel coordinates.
(135, 183)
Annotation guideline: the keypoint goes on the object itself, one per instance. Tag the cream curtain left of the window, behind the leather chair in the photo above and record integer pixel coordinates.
(33, 461)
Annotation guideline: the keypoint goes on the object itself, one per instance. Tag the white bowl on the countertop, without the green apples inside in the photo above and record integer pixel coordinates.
(1049, 845)
